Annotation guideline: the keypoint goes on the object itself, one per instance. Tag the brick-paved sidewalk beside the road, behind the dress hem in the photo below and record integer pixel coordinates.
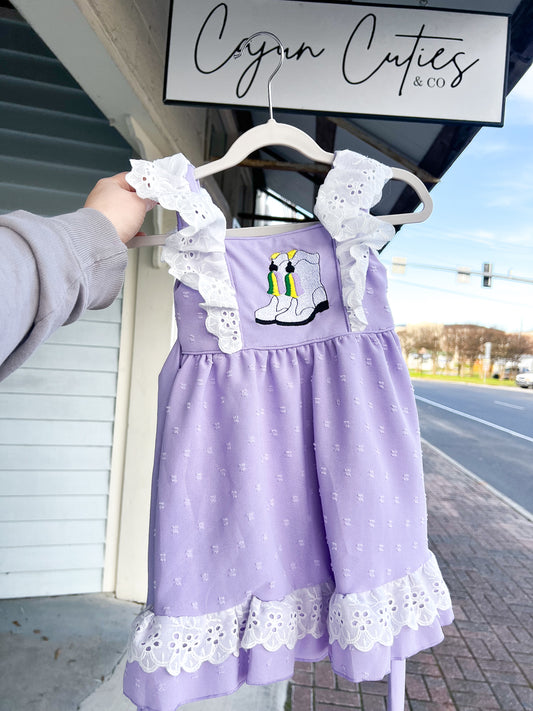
(485, 550)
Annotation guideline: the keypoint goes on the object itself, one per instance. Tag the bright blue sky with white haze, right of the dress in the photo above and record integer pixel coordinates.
(483, 212)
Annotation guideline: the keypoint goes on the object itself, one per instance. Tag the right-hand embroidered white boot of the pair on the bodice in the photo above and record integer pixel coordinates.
(304, 288)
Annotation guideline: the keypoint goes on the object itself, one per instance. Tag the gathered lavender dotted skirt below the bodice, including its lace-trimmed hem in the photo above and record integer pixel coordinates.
(288, 521)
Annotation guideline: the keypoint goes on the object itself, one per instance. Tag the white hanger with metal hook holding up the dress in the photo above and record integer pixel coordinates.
(272, 133)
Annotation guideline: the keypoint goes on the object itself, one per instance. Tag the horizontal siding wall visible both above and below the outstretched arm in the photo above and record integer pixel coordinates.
(56, 412)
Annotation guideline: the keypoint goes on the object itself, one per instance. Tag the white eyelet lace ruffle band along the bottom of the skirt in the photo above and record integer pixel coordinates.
(361, 620)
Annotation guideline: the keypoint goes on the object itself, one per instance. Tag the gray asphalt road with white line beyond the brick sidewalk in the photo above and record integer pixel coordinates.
(488, 430)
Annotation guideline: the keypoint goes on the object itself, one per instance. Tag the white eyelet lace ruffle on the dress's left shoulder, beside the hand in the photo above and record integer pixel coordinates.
(196, 253)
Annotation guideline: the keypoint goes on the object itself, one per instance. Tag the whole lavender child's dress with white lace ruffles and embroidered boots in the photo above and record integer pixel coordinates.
(288, 507)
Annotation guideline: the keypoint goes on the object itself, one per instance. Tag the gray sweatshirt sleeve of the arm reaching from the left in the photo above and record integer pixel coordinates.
(51, 270)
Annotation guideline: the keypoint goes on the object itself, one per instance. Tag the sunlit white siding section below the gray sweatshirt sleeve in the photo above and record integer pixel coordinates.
(56, 430)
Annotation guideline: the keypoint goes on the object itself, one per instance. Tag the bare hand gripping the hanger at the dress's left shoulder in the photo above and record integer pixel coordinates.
(119, 202)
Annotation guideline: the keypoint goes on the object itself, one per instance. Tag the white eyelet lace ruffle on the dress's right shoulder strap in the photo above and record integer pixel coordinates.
(343, 203)
